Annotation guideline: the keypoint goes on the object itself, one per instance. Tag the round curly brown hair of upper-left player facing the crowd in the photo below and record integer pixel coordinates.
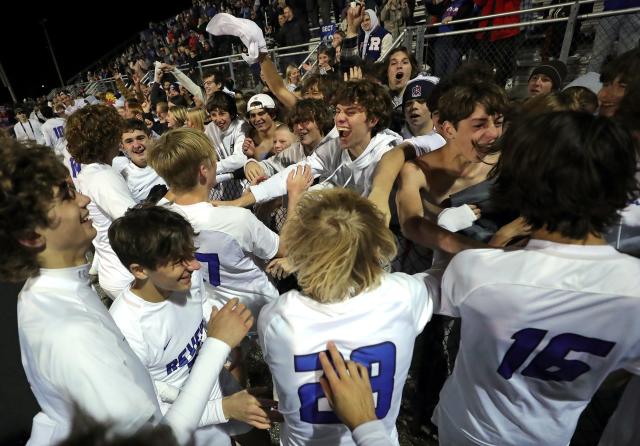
(93, 134)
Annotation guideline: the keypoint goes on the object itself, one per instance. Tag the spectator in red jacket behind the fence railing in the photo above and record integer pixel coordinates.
(498, 47)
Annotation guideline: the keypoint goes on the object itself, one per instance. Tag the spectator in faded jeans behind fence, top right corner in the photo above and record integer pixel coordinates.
(623, 28)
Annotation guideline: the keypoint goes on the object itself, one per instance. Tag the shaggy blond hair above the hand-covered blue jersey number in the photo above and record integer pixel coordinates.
(338, 244)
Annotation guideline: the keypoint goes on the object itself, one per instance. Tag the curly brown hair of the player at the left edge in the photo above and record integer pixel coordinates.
(28, 174)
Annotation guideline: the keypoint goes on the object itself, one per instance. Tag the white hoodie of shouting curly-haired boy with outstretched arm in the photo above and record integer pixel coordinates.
(333, 166)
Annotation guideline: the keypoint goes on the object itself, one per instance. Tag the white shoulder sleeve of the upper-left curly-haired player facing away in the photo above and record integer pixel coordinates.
(110, 192)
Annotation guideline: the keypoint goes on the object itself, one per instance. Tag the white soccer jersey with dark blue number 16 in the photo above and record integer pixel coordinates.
(541, 329)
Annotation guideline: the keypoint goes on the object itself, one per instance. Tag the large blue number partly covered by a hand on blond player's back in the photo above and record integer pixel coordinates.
(380, 360)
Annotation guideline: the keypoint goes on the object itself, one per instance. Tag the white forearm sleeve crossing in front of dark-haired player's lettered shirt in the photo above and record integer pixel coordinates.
(185, 413)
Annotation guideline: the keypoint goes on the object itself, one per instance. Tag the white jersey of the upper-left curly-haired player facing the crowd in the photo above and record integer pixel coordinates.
(110, 199)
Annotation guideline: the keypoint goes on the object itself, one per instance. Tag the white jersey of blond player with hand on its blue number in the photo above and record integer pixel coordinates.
(376, 328)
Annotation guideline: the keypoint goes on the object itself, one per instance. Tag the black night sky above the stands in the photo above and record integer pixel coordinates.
(80, 33)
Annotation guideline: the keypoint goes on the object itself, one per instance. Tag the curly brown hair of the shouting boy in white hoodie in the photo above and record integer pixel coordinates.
(370, 95)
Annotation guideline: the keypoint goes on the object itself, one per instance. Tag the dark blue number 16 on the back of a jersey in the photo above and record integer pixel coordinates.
(551, 363)
